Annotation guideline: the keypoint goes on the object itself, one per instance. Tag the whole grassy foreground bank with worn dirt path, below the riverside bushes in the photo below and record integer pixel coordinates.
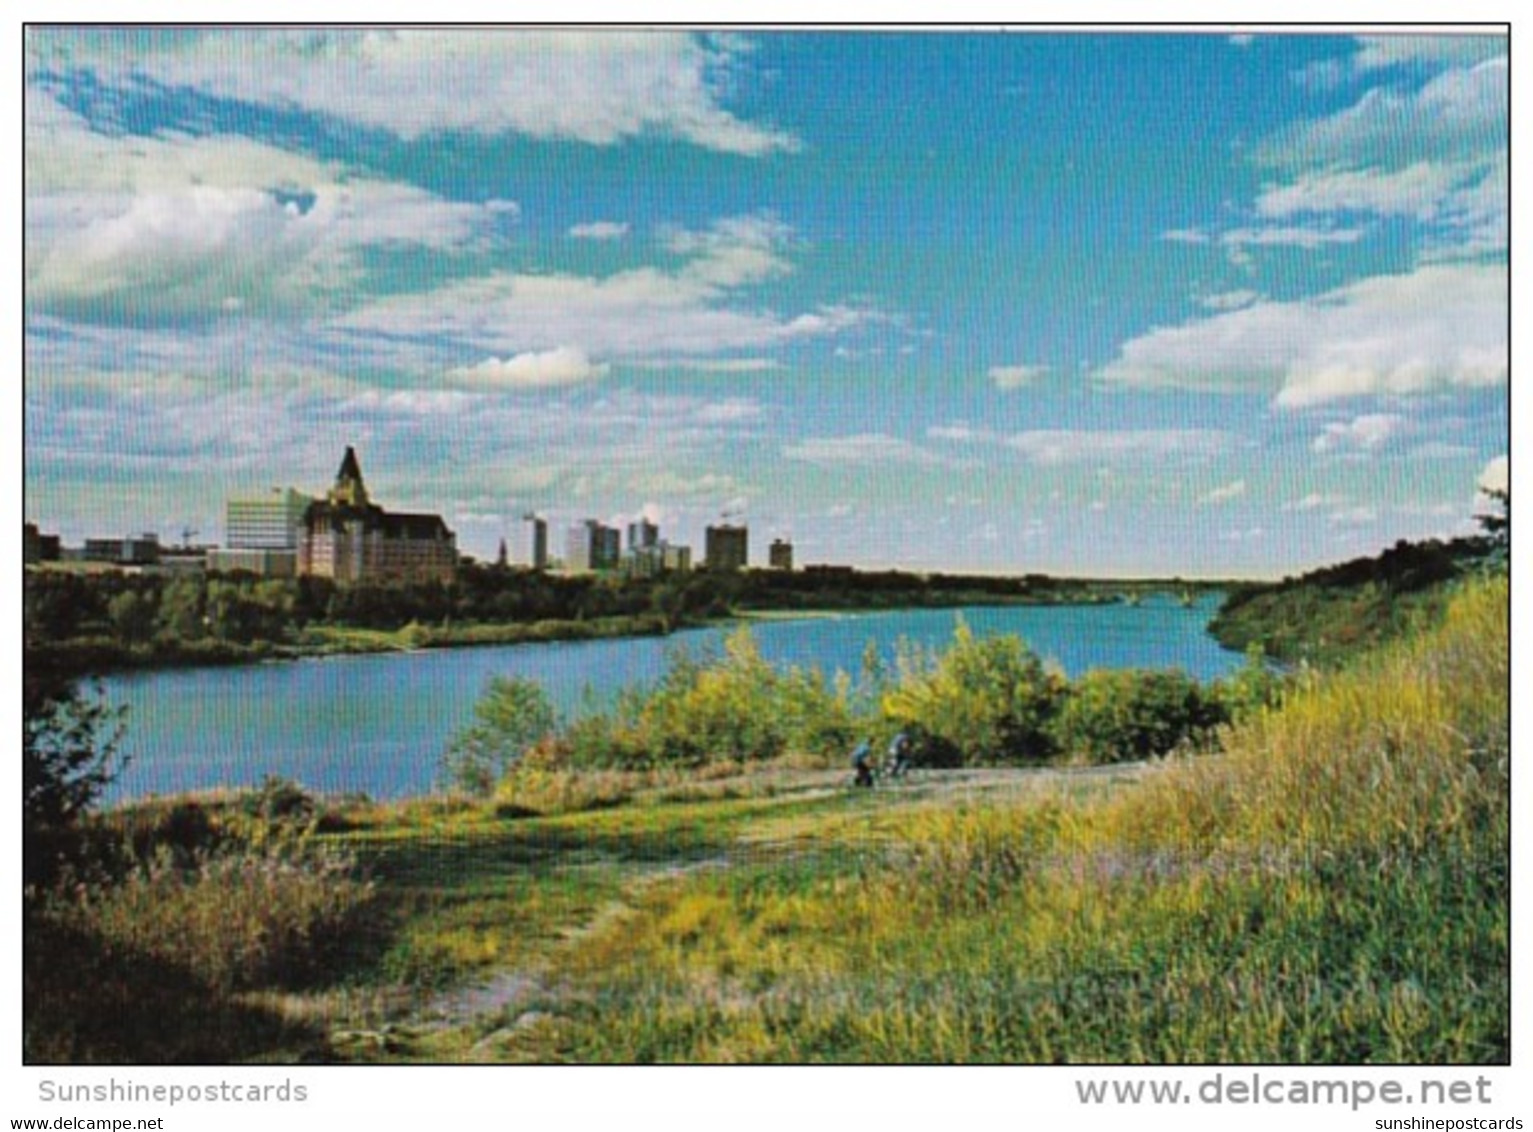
(1330, 887)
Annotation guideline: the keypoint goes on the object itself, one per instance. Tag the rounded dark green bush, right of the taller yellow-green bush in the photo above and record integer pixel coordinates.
(1120, 716)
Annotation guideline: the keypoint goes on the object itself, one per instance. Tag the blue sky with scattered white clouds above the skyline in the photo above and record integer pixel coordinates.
(1195, 304)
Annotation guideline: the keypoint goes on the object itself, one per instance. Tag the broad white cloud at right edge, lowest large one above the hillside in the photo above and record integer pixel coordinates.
(1442, 326)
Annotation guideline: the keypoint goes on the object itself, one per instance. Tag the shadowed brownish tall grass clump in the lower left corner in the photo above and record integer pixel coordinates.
(169, 913)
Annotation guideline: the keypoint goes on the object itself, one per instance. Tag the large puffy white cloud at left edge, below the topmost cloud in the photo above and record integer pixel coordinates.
(151, 231)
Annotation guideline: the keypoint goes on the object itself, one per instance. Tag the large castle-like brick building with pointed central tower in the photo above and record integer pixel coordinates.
(349, 538)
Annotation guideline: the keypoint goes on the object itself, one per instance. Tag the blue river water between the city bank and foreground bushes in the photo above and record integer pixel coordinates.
(378, 725)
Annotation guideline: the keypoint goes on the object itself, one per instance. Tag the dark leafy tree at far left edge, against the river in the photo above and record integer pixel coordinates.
(70, 751)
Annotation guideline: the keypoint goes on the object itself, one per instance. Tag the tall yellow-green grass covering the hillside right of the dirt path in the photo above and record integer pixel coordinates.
(1331, 889)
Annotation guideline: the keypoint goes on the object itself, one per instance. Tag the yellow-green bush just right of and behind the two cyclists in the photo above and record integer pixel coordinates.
(983, 700)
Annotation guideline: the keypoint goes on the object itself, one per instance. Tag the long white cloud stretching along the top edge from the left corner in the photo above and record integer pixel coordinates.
(593, 87)
